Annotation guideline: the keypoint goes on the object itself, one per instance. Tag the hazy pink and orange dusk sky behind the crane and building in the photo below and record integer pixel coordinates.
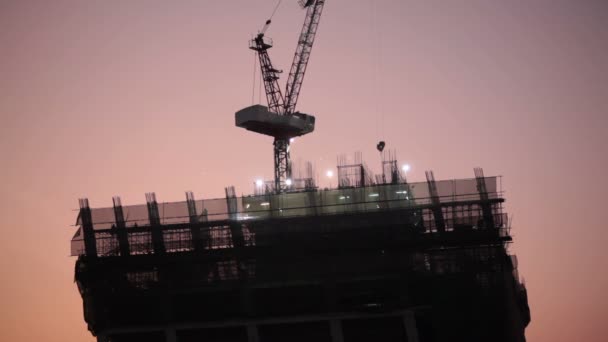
(103, 98)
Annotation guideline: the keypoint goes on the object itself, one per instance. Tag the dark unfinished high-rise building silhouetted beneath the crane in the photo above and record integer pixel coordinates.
(373, 260)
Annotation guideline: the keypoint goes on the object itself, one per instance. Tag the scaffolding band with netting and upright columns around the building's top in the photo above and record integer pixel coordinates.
(180, 226)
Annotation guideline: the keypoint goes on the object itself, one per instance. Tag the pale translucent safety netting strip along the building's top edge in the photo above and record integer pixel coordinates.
(321, 202)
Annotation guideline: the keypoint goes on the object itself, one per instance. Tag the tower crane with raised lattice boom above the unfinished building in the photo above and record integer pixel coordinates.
(280, 119)
